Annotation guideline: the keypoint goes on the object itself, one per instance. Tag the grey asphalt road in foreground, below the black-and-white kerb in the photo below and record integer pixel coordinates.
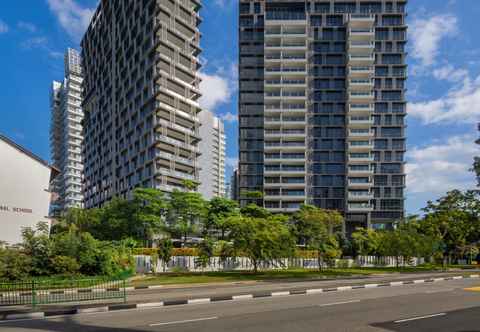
(443, 306)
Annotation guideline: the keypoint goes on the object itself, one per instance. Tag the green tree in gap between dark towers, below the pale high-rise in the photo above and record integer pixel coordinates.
(219, 210)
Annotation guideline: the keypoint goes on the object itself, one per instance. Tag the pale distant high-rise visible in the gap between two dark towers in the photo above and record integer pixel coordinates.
(212, 158)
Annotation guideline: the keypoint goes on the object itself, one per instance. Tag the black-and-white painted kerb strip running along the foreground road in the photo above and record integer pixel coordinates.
(239, 297)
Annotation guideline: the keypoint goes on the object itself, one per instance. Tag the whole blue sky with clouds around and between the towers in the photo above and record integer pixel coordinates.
(443, 85)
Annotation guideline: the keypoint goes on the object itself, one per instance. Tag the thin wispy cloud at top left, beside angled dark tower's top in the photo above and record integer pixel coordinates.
(72, 17)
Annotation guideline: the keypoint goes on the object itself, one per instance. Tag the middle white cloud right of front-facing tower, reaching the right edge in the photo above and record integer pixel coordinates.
(460, 105)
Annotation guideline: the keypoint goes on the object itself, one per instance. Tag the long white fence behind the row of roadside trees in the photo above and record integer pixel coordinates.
(193, 264)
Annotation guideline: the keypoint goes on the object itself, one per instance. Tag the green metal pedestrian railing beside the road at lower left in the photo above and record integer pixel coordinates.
(35, 292)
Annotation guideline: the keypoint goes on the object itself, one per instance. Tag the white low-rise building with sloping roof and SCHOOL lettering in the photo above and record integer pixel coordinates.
(24, 190)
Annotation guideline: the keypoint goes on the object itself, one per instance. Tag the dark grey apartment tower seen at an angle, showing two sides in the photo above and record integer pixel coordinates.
(141, 91)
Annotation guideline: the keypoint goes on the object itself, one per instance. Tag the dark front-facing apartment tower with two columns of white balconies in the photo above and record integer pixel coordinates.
(322, 106)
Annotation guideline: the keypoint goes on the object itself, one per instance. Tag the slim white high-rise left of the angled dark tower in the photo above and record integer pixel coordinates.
(66, 138)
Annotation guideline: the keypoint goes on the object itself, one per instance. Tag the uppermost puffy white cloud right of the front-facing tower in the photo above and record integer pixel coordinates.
(427, 34)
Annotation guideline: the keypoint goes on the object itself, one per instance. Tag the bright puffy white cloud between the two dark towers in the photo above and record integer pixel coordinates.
(217, 88)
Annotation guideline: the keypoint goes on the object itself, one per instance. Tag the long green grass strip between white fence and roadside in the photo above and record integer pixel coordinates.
(291, 274)
